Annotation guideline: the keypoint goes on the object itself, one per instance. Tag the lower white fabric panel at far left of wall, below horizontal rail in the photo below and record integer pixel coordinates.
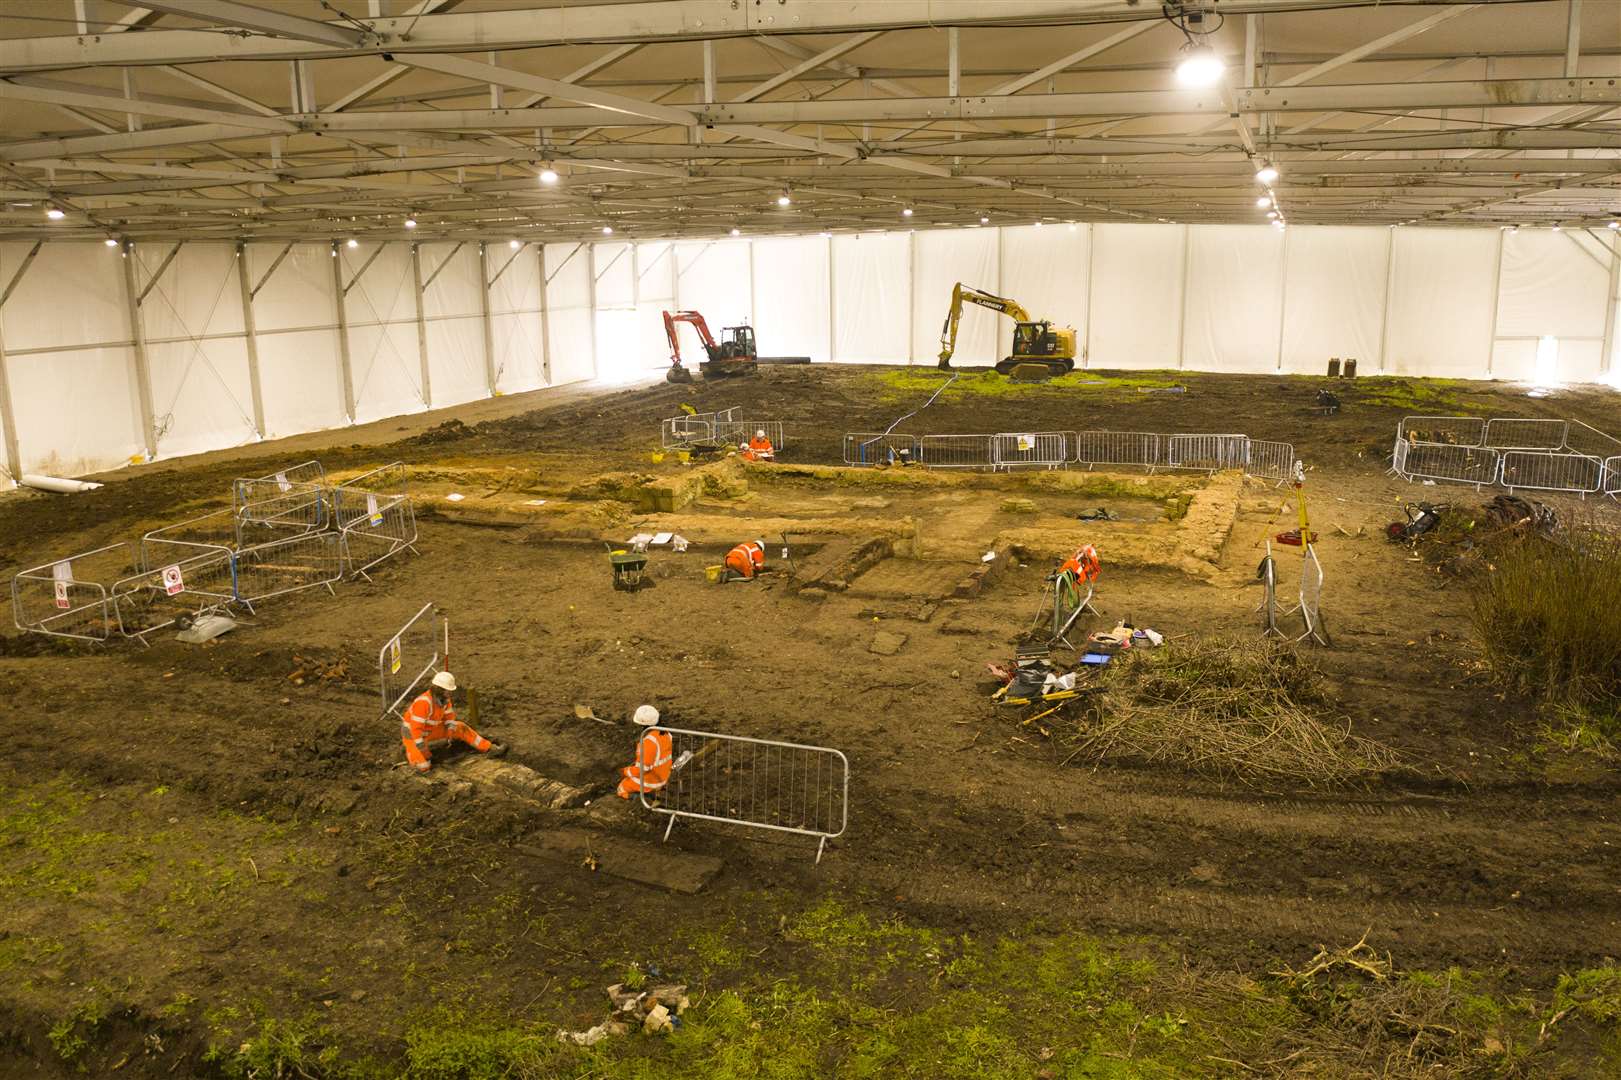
(75, 411)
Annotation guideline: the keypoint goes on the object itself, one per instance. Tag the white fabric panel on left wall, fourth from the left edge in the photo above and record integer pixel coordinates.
(383, 332)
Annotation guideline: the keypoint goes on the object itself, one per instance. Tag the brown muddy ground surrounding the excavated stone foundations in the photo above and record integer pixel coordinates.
(237, 842)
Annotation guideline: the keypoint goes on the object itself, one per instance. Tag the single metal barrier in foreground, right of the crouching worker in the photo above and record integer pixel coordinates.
(763, 784)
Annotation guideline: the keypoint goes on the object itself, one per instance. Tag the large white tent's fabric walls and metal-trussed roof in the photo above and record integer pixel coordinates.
(250, 221)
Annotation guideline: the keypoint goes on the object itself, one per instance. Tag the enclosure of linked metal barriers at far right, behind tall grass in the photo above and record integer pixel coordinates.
(1512, 452)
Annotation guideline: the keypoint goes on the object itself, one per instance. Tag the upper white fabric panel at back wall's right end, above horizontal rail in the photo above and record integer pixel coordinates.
(1552, 285)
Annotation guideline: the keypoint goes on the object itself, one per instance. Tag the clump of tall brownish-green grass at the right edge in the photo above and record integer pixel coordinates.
(1547, 614)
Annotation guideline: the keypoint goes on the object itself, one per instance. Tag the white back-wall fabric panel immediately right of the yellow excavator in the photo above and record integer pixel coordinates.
(1137, 296)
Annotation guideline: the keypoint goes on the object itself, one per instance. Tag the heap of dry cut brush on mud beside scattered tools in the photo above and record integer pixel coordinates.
(1233, 709)
